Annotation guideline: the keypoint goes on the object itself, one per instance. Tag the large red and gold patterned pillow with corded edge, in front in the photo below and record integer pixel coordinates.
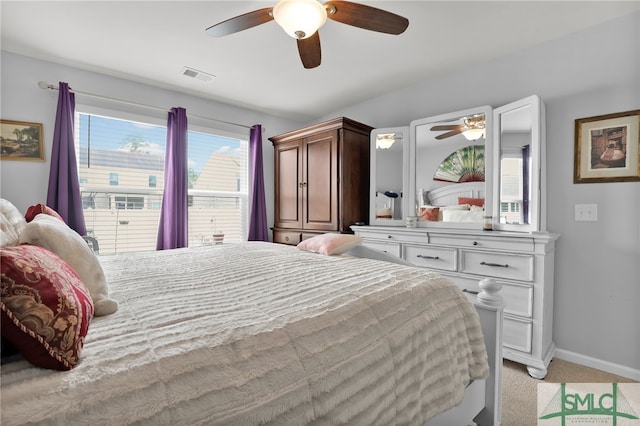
(46, 309)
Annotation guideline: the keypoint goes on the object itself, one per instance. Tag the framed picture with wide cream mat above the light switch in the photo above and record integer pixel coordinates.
(607, 148)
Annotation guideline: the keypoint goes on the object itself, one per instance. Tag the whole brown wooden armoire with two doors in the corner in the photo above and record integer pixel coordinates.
(321, 179)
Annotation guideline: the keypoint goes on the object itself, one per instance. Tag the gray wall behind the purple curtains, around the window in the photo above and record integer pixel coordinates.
(25, 182)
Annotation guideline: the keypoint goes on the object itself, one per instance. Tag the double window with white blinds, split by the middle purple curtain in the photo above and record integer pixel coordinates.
(121, 167)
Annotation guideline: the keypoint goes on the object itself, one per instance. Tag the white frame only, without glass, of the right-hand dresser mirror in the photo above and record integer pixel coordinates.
(537, 203)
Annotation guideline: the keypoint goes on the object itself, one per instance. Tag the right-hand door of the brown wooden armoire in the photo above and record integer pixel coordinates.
(320, 182)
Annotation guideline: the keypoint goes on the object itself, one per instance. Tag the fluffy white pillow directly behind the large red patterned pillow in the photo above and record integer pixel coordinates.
(53, 234)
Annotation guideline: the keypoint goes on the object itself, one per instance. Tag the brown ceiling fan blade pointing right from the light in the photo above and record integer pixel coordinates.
(367, 17)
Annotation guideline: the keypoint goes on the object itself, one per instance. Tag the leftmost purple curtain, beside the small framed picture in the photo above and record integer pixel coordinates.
(63, 194)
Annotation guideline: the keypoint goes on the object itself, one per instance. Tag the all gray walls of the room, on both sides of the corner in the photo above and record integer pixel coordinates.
(597, 277)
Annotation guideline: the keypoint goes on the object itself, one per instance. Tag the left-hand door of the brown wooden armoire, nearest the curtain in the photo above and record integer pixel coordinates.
(288, 185)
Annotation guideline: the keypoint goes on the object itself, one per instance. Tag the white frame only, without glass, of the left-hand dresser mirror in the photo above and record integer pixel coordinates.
(373, 175)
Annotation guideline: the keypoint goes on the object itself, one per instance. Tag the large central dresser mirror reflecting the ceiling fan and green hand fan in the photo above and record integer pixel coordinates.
(450, 168)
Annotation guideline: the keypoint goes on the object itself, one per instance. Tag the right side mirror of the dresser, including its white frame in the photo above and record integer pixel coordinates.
(519, 182)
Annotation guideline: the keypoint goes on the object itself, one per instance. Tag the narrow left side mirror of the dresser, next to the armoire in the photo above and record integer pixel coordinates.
(387, 205)
